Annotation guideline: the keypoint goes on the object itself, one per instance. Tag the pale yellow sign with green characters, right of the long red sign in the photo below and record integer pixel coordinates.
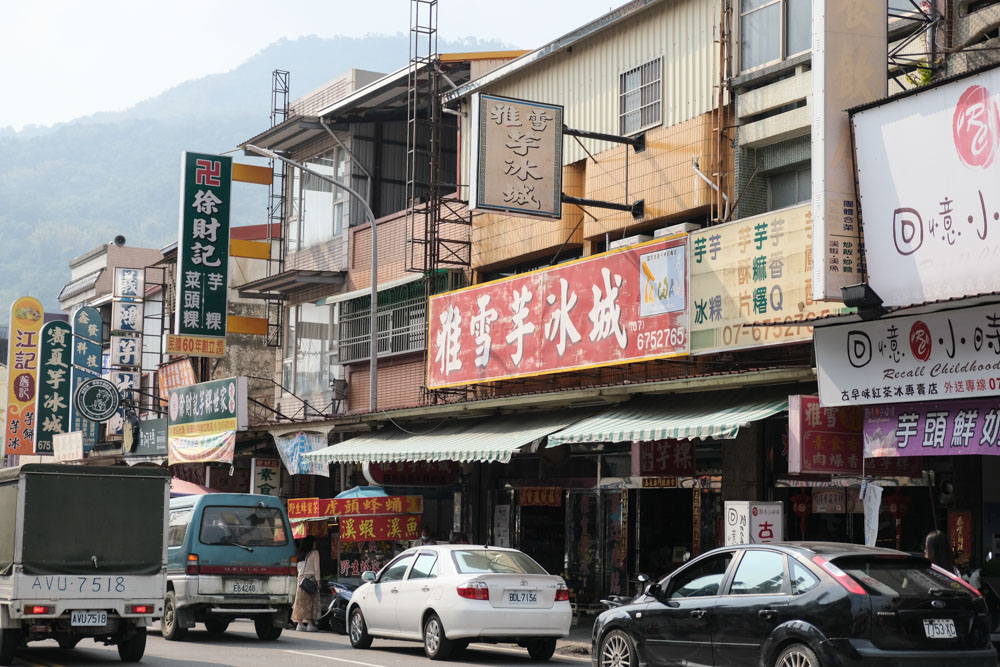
(755, 271)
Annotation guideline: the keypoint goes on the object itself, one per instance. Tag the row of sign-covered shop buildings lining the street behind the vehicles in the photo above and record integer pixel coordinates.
(695, 274)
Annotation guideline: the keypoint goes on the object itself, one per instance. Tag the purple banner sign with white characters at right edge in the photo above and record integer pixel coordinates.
(933, 429)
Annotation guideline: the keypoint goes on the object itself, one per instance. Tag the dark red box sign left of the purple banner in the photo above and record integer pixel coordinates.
(830, 441)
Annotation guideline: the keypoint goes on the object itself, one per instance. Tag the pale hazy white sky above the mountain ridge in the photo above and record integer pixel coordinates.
(62, 59)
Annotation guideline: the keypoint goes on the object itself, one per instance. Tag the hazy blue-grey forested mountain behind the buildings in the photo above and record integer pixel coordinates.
(68, 188)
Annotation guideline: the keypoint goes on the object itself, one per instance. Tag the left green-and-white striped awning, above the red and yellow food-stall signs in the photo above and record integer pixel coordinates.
(486, 440)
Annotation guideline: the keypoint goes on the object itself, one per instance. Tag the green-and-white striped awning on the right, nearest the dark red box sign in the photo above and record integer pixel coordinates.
(682, 417)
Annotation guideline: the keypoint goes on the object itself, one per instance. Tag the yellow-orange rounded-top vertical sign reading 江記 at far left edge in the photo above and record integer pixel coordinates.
(22, 376)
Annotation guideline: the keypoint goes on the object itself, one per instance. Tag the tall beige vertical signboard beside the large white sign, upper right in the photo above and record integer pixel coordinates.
(848, 69)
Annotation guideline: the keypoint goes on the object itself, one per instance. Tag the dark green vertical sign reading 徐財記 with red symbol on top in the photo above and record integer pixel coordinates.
(203, 247)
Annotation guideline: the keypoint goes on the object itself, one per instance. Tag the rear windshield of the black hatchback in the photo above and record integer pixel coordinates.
(902, 577)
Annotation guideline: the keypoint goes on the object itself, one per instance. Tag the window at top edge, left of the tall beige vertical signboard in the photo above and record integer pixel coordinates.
(772, 30)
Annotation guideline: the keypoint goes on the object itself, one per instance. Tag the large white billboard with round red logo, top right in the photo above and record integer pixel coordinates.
(930, 239)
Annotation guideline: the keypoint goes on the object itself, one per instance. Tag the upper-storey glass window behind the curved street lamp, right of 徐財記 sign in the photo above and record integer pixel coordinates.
(318, 207)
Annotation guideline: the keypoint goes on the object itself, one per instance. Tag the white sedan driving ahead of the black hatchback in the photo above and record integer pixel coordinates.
(449, 595)
